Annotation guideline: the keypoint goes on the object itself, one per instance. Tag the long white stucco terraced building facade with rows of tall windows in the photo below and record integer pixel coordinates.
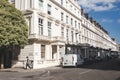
(55, 24)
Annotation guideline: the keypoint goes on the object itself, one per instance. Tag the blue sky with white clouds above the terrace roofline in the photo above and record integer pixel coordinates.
(106, 13)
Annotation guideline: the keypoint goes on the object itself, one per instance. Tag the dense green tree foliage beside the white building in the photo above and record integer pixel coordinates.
(13, 28)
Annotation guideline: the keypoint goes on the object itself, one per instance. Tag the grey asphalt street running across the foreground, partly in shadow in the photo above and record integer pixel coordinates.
(105, 70)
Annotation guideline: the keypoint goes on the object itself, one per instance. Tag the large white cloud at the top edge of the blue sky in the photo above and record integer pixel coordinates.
(97, 5)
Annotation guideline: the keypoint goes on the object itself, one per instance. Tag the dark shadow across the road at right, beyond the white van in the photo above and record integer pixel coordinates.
(104, 65)
